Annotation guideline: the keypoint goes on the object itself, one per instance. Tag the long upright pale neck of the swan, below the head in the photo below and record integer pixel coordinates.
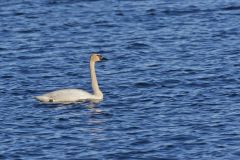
(96, 91)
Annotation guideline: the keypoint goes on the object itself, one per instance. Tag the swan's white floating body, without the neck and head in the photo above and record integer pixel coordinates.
(66, 95)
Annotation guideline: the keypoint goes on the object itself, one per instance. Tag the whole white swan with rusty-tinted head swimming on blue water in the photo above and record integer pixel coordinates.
(77, 95)
